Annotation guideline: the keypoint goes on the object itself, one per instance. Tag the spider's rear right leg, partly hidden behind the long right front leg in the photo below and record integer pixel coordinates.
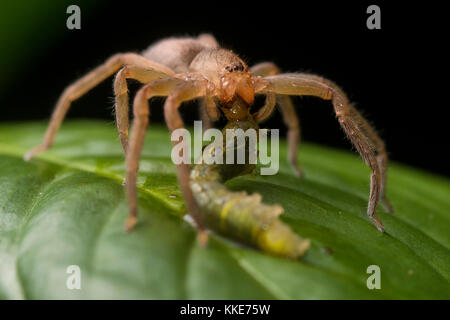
(288, 113)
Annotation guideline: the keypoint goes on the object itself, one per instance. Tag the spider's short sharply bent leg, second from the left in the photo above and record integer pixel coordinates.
(143, 75)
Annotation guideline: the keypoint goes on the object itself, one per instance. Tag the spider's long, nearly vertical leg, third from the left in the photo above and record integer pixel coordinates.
(141, 112)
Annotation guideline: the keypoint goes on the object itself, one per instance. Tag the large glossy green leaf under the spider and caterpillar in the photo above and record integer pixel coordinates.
(67, 207)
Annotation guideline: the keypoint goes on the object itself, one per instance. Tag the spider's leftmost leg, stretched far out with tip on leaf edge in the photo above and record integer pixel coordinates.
(83, 85)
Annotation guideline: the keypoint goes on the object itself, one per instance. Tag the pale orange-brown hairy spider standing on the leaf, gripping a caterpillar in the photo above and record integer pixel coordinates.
(183, 69)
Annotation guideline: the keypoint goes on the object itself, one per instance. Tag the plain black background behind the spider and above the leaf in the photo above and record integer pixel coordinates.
(391, 74)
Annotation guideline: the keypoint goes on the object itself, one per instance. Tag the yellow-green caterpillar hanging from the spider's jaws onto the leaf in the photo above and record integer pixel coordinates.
(238, 215)
